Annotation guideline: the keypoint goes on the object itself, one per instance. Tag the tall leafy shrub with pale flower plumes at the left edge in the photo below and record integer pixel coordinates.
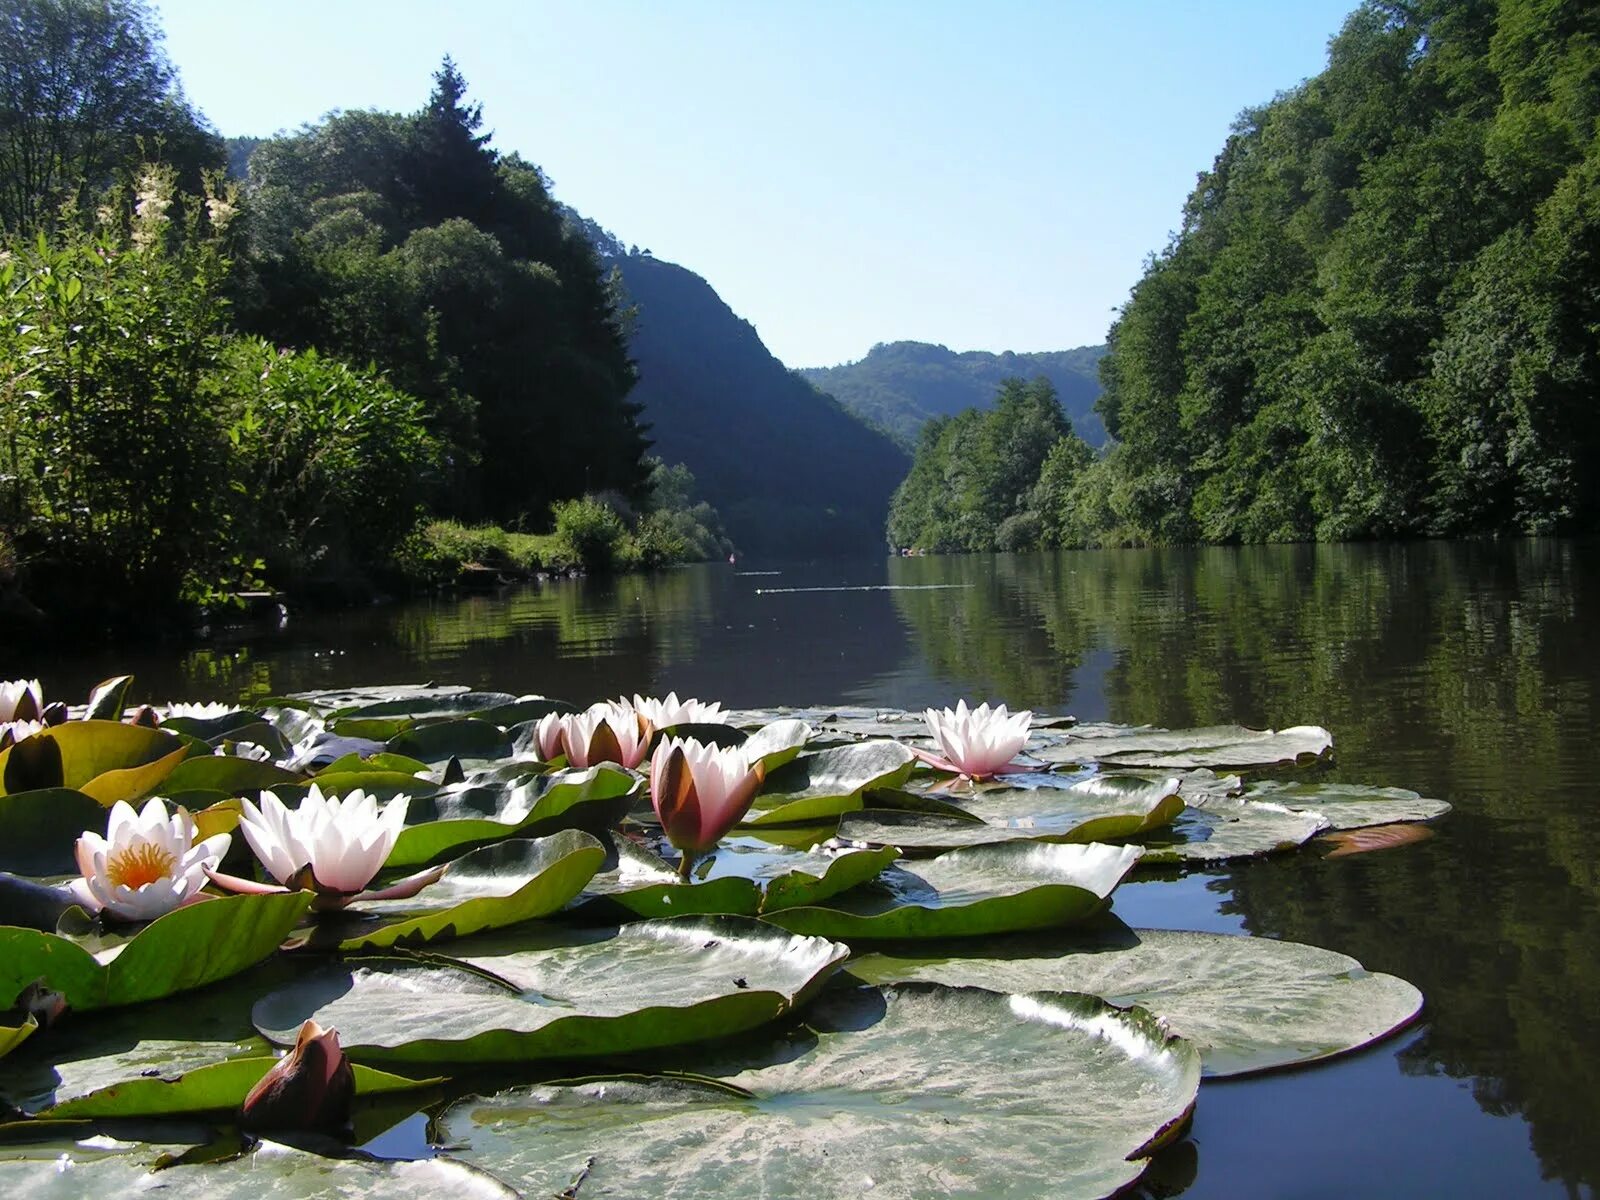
(111, 450)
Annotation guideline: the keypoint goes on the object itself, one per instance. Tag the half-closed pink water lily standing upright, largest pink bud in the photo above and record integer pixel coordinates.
(700, 793)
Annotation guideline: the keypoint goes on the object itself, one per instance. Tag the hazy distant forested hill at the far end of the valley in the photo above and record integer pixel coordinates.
(900, 386)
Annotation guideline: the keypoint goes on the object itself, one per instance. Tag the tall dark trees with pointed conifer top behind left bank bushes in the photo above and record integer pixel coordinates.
(406, 241)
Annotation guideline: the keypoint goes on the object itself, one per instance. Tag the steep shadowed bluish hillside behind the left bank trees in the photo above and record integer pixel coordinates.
(785, 465)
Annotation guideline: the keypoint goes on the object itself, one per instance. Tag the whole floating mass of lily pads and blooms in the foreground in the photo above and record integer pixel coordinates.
(638, 946)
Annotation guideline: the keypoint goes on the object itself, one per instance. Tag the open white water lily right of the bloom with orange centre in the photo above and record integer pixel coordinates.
(345, 842)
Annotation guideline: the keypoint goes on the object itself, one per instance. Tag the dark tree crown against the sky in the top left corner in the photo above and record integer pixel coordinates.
(86, 98)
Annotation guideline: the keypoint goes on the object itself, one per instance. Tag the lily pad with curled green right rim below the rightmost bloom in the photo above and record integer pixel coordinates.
(1098, 809)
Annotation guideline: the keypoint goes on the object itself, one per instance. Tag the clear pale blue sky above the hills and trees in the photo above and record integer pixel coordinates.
(990, 177)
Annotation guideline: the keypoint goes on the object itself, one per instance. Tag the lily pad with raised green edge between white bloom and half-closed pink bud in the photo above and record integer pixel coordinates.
(593, 799)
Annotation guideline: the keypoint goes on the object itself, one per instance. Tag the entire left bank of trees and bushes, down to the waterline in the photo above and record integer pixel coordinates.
(314, 377)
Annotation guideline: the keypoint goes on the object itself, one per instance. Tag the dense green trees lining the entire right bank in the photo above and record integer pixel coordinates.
(1382, 316)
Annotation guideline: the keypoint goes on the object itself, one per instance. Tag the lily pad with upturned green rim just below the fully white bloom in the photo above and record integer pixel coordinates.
(495, 887)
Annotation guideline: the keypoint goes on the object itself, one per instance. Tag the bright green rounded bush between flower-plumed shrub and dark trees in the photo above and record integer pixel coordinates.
(332, 463)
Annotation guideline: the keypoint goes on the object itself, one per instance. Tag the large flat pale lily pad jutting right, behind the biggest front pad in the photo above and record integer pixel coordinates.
(1247, 1004)
